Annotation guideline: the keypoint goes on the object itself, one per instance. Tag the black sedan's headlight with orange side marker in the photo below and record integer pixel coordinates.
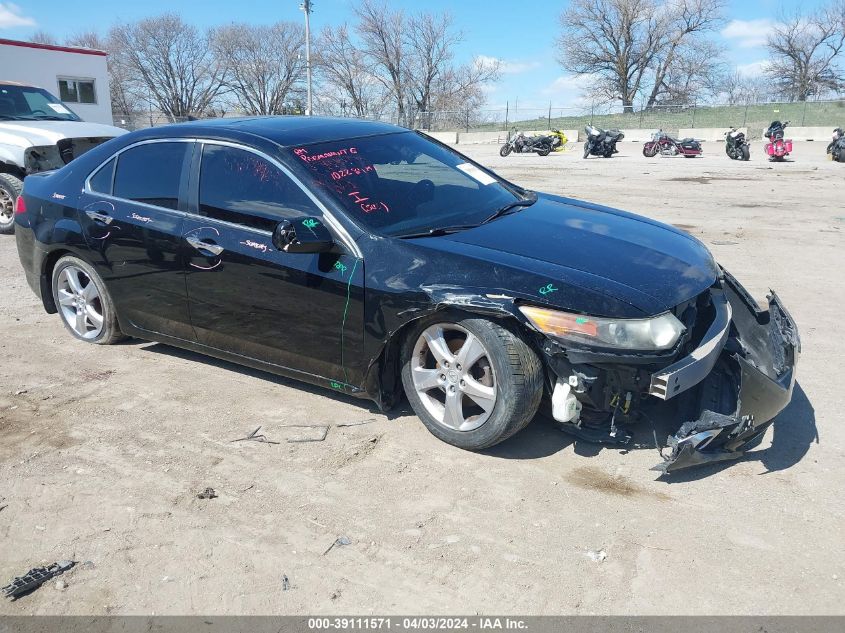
(652, 334)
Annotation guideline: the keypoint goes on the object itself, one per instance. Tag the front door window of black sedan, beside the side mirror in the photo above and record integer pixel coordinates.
(243, 188)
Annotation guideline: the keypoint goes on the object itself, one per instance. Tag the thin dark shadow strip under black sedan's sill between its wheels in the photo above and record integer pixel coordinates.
(402, 409)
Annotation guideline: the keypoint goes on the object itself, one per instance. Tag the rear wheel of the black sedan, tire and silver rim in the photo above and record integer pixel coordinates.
(84, 304)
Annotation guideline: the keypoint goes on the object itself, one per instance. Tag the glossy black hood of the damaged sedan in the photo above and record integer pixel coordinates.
(646, 264)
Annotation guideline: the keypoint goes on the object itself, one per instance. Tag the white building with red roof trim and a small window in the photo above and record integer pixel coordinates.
(78, 76)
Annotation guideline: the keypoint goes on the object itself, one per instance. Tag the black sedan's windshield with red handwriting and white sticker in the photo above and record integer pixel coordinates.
(402, 184)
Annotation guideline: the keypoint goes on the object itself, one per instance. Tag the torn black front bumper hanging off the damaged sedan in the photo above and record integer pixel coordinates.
(752, 377)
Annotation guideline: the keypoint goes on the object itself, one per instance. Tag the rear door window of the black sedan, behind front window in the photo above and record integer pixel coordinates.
(151, 174)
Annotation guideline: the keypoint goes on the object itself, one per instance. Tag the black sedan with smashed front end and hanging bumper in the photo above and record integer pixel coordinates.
(375, 261)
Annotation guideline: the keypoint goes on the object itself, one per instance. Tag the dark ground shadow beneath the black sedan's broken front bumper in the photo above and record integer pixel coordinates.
(793, 431)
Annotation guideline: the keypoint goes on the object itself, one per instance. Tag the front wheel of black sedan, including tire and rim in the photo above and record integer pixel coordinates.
(472, 382)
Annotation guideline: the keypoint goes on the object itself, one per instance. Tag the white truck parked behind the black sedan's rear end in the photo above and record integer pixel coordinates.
(38, 133)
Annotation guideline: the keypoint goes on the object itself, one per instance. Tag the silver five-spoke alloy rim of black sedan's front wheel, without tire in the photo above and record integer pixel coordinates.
(453, 377)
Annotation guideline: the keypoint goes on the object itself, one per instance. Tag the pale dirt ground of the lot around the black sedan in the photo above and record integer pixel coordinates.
(104, 449)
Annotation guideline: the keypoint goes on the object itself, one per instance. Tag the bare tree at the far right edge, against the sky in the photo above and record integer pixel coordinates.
(804, 52)
